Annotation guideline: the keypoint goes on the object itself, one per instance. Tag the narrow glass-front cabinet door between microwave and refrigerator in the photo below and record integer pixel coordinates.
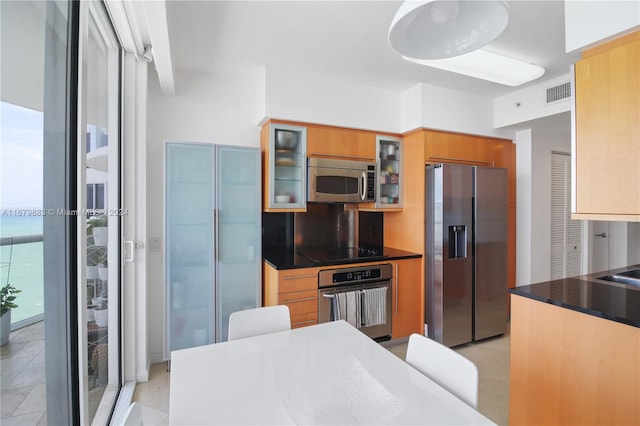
(389, 191)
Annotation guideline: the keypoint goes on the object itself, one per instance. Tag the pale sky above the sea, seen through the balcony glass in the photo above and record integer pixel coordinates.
(21, 165)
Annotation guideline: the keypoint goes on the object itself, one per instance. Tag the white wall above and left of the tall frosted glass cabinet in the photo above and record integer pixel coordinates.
(221, 109)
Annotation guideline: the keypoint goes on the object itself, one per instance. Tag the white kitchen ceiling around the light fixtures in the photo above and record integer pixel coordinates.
(347, 40)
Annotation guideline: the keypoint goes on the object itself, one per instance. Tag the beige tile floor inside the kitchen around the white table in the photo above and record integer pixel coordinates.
(491, 356)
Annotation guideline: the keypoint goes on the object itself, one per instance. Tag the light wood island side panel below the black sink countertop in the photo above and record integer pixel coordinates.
(567, 367)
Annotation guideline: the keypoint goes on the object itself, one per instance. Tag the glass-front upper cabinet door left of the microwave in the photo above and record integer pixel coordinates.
(287, 167)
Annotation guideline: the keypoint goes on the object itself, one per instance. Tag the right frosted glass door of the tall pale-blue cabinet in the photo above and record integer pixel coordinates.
(238, 233)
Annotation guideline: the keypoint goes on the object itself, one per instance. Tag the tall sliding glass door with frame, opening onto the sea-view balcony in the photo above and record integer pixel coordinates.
(60, 203)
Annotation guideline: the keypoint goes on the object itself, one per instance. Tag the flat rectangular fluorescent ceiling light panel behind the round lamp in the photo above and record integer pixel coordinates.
(487, 66)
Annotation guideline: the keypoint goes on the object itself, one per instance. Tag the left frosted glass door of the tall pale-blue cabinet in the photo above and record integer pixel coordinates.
(189, 245)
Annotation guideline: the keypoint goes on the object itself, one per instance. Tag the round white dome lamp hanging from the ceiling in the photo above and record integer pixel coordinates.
(436, 29)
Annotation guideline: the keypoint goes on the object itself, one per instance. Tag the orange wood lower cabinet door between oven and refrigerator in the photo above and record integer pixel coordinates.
(407, 298)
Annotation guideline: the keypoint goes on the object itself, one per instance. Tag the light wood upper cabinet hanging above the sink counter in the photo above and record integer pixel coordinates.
(607, 145)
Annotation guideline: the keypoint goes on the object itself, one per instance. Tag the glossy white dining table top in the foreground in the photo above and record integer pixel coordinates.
(329, 373)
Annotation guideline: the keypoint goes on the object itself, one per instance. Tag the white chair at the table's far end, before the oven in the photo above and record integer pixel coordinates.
(253, 322)
